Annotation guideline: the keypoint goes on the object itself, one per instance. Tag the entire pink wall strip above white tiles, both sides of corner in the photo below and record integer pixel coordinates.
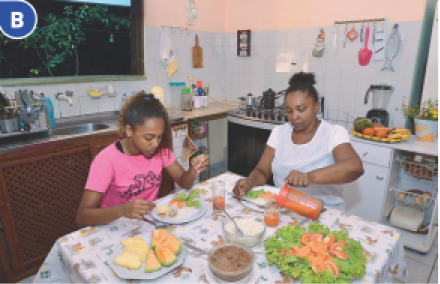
(231, 15)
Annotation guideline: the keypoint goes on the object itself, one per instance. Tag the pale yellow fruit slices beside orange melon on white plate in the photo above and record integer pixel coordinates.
(134, 253)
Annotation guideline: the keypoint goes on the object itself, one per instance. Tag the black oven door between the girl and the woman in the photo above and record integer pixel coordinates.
(246, 143)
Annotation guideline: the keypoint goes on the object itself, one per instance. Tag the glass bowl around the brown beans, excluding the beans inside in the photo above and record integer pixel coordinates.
(231, 275)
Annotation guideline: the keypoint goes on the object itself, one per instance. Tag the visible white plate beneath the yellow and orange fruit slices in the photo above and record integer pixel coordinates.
(125, 273)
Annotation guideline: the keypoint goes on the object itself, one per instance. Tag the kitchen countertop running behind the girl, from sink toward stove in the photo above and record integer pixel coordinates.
(32, 141)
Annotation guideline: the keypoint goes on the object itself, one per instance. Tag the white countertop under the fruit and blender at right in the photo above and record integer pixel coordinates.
(411, 145)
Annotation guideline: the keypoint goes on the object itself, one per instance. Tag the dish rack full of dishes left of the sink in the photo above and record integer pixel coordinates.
(18, 127)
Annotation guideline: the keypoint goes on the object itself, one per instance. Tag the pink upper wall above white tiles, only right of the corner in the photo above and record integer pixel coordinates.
(289, 14)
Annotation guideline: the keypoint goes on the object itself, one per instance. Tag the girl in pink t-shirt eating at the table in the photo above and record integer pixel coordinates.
(125, 177)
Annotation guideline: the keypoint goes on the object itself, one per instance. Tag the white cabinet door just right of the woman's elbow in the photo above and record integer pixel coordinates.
(365, 196)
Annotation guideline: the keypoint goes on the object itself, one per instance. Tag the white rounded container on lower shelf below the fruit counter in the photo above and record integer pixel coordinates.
(407, 217)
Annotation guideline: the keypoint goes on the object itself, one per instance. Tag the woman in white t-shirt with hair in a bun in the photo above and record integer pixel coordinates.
(306, 152)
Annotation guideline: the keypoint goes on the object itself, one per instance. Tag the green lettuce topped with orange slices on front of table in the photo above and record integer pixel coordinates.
(316, 254)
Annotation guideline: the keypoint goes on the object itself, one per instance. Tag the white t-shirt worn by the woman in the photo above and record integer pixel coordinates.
(307, 157)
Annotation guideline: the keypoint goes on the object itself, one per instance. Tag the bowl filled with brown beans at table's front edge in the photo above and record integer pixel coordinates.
(236, 262)
